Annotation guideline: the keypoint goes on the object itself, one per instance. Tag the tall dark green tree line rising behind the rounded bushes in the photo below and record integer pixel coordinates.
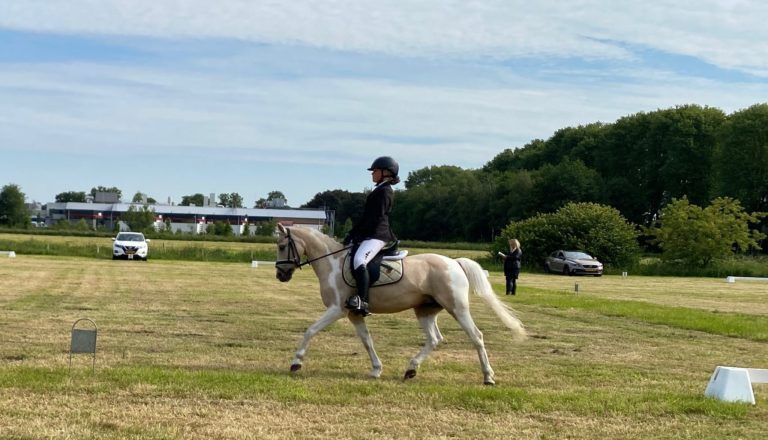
(637, 165)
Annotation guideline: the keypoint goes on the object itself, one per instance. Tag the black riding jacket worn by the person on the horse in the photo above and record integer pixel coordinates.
(375, 220)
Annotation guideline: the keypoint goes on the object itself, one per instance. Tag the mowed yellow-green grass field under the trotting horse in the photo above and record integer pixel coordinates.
(202, 350)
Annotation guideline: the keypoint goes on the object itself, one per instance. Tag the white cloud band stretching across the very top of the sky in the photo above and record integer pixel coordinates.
(729, 34)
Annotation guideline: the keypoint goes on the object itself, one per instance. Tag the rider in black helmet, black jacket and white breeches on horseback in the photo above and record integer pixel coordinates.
(371, 232)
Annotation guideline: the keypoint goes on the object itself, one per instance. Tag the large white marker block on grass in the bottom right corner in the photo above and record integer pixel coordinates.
(733, 384)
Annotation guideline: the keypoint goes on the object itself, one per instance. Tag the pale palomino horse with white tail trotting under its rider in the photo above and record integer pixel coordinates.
(430, 284)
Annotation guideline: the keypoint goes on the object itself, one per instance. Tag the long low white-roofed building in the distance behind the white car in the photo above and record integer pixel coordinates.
(192, 219)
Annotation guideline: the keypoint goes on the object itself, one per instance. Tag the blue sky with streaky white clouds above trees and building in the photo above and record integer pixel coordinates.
(177, 97)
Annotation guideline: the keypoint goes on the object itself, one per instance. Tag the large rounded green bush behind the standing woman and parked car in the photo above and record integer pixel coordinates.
(596, 229)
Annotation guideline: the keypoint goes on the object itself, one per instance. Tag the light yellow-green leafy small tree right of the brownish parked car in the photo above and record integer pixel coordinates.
(697, 236)
